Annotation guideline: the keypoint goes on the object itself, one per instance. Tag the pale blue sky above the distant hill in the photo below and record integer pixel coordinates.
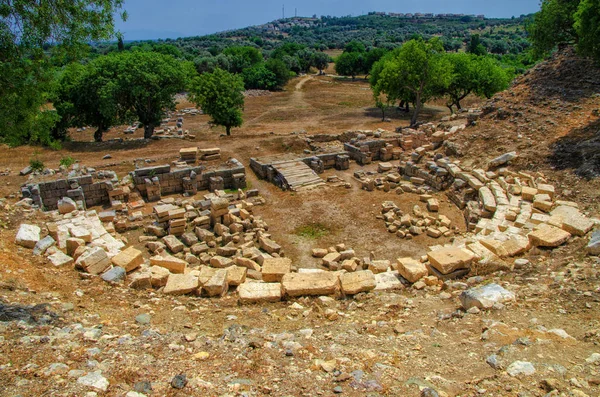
(153, 19)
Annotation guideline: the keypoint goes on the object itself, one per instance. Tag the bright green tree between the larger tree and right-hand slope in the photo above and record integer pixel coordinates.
(479, 75)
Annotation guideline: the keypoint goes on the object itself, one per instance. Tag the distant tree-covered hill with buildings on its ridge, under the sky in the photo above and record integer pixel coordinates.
(499, 36)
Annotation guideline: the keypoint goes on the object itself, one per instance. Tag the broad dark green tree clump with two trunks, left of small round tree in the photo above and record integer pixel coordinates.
(119, 88)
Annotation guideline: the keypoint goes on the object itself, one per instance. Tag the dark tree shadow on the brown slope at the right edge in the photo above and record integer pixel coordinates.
(579, 150)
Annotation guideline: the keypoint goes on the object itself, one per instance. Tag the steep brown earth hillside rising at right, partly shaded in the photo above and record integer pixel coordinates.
(550, 118)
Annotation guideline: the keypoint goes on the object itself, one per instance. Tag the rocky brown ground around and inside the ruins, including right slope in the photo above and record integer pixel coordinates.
(65, 333)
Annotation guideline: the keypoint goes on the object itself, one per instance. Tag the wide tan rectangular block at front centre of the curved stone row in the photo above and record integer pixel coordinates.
(298, 284)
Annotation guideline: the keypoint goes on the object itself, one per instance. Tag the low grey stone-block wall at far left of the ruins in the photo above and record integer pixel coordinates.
(47, 194)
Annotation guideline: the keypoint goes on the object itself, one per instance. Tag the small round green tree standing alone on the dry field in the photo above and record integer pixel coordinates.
(220, 95)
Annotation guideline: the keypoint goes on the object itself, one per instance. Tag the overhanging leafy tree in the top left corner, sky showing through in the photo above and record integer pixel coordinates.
(26, 27)
